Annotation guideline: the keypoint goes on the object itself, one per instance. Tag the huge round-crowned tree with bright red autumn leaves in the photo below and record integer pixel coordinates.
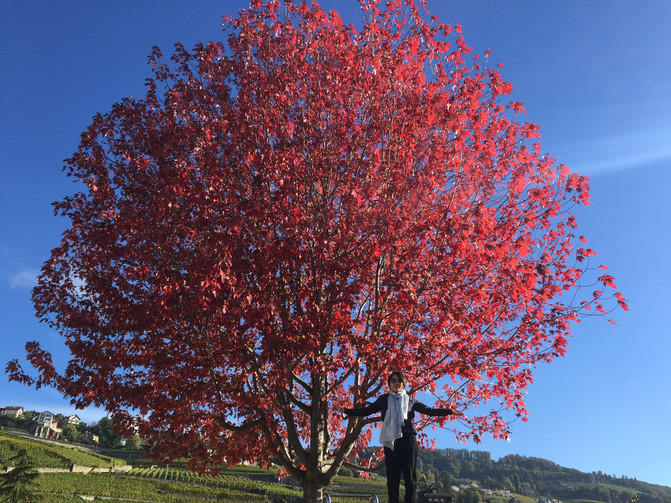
(291, 213)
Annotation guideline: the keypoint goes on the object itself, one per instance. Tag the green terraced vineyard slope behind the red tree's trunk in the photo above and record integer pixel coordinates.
(148, 483)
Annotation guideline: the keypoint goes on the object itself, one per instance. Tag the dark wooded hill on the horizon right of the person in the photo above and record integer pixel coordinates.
(534, 477)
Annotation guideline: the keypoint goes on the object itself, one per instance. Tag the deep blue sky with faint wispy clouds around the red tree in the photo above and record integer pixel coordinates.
(595, 75)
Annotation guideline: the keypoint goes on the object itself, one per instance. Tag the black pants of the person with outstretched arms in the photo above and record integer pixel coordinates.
(402, 459)
